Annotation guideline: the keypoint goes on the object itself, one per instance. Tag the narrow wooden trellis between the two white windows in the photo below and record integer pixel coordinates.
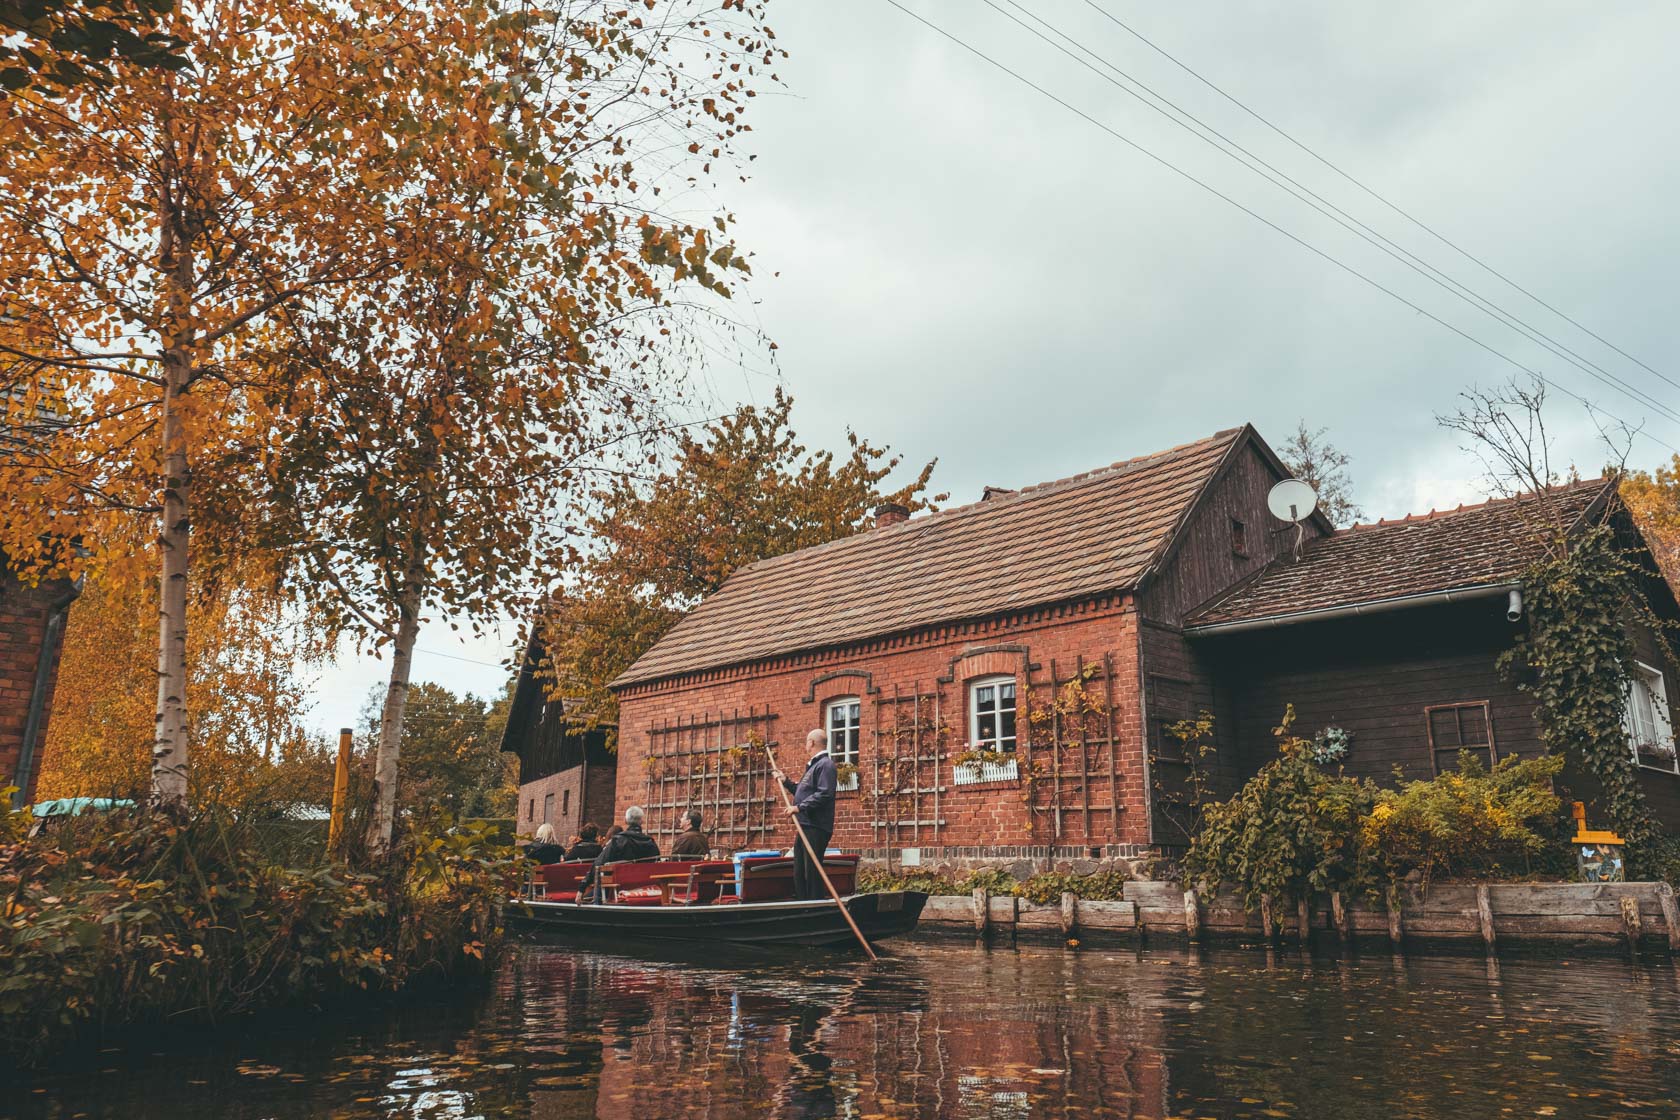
(908, 775)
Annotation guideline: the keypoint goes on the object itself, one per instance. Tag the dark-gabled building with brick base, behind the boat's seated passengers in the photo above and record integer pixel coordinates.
(567, 775)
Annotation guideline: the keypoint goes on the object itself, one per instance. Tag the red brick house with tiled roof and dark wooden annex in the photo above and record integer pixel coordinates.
(997, 679)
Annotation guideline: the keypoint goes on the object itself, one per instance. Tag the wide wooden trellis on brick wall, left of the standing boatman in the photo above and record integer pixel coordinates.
(715, 765)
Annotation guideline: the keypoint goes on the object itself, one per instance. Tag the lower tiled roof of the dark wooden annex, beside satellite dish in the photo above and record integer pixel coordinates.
(1439, 552)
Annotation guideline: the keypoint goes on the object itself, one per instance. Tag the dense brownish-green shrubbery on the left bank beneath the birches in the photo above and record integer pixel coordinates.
(142, 918)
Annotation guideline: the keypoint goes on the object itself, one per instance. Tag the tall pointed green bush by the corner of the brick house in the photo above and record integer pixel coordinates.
(1289, 832)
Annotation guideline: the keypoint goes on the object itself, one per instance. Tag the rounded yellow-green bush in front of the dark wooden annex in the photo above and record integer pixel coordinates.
(1473, 822)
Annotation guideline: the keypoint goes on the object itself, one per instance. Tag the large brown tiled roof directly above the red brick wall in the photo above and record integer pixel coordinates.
(1088, 535)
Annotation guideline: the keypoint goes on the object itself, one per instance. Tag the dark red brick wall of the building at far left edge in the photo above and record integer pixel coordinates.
(31, 639)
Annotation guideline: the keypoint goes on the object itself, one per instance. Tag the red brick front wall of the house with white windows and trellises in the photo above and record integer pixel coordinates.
(915, 684)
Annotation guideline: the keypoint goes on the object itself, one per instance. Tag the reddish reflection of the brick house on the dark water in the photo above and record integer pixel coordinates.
(698, 1042)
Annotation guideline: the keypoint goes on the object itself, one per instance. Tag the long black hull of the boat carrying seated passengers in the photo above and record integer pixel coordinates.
(888, 914)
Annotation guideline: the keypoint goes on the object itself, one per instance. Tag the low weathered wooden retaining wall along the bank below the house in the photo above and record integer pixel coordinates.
(1488, 916)
